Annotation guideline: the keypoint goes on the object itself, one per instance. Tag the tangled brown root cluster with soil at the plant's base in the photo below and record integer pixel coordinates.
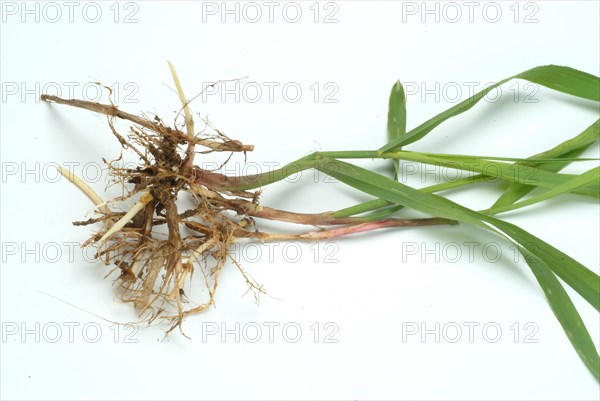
(155, 265)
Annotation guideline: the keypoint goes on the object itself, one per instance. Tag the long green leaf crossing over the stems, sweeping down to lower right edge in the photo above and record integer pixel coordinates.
(543, 259)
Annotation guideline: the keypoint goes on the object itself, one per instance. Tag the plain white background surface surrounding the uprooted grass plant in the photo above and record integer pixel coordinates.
(374, 289)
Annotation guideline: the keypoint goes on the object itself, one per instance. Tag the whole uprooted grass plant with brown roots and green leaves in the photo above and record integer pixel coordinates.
(157, 245)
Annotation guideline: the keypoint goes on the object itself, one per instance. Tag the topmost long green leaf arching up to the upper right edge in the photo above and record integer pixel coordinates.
(562, 79)
